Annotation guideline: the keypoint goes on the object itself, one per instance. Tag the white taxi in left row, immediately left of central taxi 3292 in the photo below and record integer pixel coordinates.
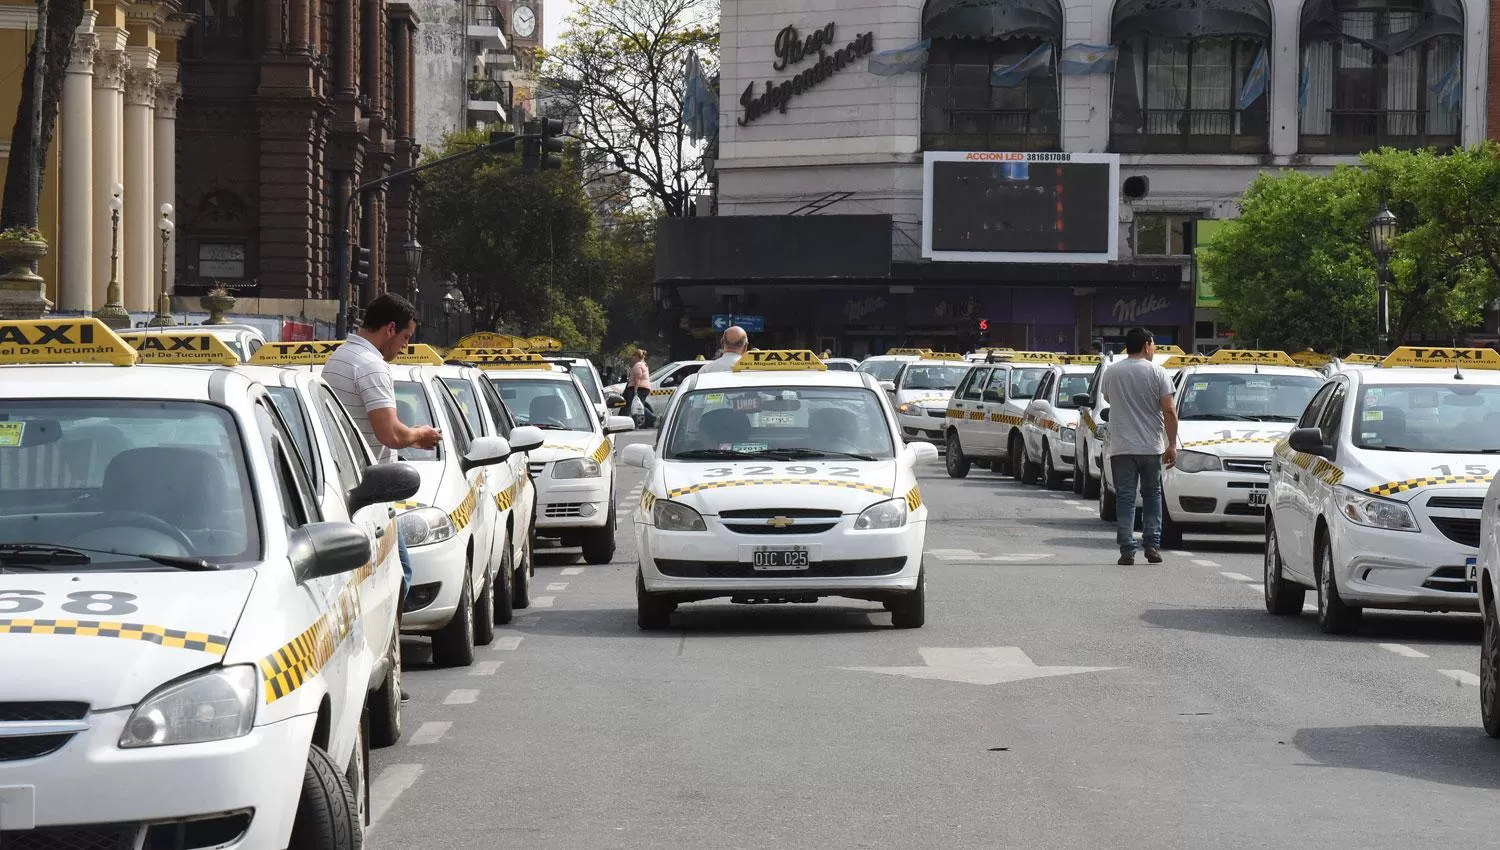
(574, 468)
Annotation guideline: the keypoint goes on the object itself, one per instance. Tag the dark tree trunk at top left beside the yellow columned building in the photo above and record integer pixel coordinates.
(37, 115)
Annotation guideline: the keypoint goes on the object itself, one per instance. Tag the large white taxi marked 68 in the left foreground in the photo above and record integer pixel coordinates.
(184, 630)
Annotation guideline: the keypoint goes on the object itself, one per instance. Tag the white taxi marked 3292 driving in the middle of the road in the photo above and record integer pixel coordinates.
(781, 482)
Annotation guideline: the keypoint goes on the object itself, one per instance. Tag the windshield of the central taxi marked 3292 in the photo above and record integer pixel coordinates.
(779, 422)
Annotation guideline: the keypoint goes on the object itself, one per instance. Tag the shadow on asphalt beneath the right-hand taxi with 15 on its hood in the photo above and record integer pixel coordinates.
(1379, 627)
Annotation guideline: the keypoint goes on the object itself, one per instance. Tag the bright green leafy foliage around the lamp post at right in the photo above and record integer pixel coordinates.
(1297, 269)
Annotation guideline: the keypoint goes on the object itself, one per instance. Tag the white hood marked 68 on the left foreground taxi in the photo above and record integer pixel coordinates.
(110, 639)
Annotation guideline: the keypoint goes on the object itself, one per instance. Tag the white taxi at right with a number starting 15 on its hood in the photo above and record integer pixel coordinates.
(1376, 497)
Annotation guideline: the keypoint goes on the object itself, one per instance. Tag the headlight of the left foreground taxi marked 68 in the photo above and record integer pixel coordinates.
(211, 707)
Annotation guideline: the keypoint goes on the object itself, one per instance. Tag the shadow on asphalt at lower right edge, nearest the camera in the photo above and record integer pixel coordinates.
(1448, 755)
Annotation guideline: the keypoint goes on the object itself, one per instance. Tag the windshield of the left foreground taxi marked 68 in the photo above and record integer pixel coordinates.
(127, 476)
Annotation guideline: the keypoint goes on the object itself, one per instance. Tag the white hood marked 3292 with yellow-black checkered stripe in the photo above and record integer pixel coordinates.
(712, 486)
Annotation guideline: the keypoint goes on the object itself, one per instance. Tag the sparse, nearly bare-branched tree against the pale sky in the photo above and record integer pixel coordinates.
(620, 70)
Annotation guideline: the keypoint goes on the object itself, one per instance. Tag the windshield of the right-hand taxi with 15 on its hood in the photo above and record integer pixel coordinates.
(1450, 419)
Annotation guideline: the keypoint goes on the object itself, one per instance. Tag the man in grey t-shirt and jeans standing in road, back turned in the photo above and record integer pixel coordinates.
(1142, 435)
